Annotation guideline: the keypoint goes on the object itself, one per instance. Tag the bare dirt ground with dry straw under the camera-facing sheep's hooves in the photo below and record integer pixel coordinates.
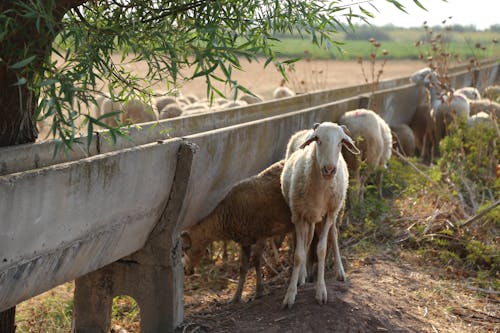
(382, 294)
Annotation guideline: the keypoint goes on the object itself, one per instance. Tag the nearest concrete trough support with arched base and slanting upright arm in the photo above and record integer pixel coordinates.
(153, 276)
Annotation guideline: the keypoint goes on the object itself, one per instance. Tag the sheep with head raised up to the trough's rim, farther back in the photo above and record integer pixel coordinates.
(421, 123)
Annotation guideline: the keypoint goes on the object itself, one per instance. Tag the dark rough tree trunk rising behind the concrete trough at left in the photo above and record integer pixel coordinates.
(18, 103)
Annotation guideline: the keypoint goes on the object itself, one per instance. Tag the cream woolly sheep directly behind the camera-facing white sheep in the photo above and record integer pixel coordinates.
(374, 140)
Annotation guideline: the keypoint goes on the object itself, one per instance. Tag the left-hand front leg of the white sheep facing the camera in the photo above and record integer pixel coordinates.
(301, 230)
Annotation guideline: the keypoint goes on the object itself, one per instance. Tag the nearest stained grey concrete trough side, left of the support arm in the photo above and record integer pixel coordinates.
(60, 222)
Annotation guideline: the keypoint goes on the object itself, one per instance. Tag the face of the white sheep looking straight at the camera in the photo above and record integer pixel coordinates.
(329, 138)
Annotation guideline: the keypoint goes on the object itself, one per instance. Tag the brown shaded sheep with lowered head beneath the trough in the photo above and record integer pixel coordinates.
(253, 210)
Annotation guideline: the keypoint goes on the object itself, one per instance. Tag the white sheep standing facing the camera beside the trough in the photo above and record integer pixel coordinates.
(314, 183)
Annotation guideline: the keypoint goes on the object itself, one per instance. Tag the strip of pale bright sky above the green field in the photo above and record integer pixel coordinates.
(481, 13)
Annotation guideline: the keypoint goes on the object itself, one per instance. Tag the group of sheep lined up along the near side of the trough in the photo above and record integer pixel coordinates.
(305, 193)
